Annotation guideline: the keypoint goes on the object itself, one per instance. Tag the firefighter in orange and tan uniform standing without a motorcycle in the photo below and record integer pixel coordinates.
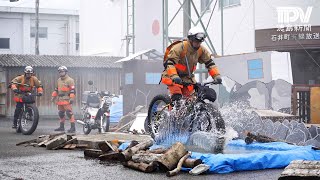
(64, 95)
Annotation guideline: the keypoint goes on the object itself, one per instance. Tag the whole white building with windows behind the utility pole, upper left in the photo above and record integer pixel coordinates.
(58, 31)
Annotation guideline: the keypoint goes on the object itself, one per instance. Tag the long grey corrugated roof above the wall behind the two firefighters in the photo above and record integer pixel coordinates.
(18, 60)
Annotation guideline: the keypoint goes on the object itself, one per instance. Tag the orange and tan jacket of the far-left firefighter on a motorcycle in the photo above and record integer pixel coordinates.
(26, 86)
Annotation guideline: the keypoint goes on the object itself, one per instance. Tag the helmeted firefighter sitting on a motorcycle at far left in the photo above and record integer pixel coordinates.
(22, 84)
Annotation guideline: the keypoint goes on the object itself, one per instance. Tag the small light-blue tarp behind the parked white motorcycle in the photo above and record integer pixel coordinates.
(116, 110)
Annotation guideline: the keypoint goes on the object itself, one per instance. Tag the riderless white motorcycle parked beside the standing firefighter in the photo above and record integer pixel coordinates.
(96, 110)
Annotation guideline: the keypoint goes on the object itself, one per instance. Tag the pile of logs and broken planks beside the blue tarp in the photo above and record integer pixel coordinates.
(137, 155)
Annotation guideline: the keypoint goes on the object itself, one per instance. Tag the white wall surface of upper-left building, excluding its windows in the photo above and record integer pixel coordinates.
(60, 40)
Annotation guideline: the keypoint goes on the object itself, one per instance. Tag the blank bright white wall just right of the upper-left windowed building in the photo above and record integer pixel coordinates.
(102, 27)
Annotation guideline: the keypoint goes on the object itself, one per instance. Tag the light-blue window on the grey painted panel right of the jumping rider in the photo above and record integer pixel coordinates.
(255, 69)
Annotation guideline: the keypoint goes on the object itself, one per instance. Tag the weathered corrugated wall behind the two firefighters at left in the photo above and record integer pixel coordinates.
(104, 79)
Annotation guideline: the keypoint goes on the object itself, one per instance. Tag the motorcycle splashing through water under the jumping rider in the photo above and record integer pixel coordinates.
(195, 115)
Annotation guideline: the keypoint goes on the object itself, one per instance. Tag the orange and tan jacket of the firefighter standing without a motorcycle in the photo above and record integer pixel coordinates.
(65, 90)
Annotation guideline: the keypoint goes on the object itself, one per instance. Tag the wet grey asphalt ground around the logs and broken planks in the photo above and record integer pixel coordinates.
(19, 162)
